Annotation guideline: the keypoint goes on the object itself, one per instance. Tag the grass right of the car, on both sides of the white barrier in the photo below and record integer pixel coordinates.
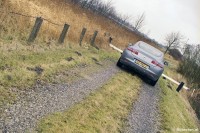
(176, 112)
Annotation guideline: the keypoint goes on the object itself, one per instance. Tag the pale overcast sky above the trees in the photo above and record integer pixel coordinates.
(165, 16)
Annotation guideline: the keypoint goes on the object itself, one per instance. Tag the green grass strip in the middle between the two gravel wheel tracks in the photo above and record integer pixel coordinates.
(103, 111)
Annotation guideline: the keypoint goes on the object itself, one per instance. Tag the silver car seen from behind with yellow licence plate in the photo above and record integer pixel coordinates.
(145, 59)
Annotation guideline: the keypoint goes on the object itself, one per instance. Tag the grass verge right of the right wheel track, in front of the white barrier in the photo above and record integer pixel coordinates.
(176, 113)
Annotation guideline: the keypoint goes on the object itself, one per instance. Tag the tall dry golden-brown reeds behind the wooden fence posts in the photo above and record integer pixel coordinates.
(60, 12)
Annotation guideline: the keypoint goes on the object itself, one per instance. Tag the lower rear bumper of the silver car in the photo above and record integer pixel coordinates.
(140, 70)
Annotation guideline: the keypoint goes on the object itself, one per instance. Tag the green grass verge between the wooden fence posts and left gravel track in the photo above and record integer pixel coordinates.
(15, 65)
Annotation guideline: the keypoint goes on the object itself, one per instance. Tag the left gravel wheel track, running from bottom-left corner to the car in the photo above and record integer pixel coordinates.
(43, 100)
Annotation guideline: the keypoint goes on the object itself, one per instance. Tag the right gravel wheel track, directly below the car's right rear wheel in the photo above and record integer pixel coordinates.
(144, 116)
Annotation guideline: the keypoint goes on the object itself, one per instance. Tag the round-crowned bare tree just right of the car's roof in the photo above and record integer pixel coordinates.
(174, 40)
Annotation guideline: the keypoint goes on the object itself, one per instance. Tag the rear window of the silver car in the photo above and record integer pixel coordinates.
(150, 49)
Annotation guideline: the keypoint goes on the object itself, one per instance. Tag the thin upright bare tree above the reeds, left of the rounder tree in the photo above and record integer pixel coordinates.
(139, 22)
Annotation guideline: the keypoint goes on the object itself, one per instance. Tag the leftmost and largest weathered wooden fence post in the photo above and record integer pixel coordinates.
(35, 29)
